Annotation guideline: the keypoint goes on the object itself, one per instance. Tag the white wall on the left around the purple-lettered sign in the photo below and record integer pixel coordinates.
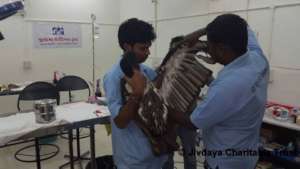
(18, 45)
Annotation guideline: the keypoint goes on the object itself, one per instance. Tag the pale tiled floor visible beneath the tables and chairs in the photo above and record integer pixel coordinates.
(103, 147)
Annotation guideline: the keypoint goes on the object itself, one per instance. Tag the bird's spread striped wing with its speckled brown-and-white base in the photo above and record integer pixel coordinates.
(176, 87)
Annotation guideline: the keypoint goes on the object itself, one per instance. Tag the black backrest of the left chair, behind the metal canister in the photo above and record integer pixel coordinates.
(38, 91)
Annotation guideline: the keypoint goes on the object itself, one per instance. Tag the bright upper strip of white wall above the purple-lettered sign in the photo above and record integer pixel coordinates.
(107, 11)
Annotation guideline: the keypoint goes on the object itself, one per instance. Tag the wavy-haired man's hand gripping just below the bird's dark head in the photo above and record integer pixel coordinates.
(137, 83)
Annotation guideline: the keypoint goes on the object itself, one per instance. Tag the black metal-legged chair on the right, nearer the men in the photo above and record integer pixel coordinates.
(71, 83)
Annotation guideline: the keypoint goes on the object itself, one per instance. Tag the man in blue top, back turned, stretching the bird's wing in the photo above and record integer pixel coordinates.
(232, 111)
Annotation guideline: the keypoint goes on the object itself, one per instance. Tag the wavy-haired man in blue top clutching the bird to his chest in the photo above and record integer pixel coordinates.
(131, 148)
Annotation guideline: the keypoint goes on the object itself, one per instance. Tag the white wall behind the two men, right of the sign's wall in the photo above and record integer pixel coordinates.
(276, 26)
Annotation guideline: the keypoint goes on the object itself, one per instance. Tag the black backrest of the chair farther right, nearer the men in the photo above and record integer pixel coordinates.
(70, 83)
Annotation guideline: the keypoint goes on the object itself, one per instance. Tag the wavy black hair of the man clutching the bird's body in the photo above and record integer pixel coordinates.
(135, 31)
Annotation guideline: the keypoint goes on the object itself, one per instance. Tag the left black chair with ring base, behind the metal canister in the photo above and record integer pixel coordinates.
(37, 91)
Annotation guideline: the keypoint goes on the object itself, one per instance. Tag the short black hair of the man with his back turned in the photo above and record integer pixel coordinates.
(229, 30)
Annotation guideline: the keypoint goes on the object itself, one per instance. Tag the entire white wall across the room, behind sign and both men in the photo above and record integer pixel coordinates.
(276, 29)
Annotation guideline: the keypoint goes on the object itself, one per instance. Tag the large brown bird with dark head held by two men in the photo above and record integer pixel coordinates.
(176, 88)
